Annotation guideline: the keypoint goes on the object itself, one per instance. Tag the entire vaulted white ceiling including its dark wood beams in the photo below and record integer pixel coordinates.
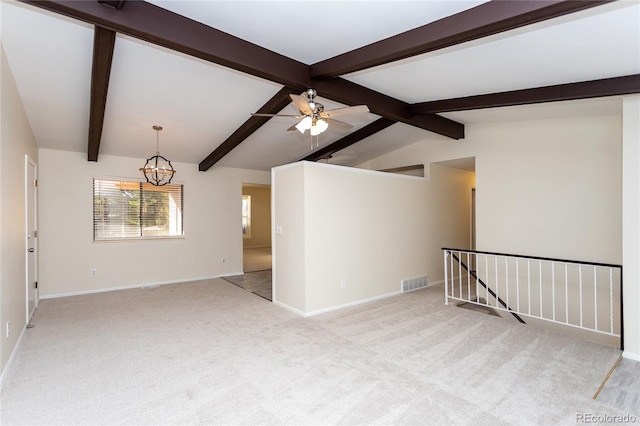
(95, 76)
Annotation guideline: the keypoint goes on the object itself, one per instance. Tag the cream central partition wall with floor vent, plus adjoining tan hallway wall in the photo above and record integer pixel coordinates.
(366, 230)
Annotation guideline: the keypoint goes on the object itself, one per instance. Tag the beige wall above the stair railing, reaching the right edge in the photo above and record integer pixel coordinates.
(552, 188)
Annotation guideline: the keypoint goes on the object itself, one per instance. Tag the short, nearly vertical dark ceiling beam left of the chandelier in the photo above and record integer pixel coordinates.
(103, 45)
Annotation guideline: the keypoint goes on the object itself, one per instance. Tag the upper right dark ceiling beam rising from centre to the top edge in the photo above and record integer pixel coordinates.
(481, 21)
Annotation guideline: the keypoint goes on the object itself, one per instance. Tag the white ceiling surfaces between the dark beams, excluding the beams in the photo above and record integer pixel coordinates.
(200, 104)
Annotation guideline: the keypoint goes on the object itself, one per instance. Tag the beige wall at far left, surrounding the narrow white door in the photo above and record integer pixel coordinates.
(16, 141)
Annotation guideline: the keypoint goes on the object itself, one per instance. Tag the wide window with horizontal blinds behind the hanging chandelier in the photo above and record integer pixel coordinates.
(136, 210)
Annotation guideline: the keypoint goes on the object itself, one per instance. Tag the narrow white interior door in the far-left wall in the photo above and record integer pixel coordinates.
(31, 230)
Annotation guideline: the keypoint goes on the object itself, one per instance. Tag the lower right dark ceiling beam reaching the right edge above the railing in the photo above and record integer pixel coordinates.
(561, 92)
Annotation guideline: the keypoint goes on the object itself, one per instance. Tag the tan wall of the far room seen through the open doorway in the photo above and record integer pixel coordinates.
(260, 216)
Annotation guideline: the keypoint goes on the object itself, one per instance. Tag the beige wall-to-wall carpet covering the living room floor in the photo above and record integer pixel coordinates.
(212, 353)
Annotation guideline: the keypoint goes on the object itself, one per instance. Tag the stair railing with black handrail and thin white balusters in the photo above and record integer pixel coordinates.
(579, 294)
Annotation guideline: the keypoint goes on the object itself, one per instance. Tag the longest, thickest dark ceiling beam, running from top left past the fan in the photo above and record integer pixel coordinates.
(155, 25)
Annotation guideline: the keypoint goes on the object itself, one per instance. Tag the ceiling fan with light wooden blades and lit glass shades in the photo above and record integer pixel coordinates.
(314, 117)
